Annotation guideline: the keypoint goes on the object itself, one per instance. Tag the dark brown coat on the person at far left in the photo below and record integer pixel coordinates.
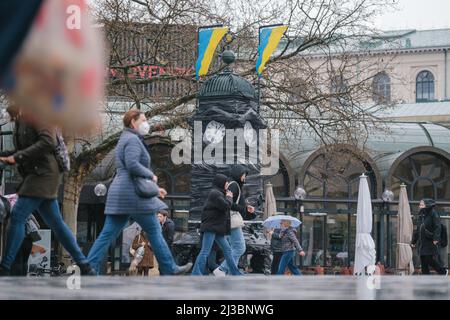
(36, 161)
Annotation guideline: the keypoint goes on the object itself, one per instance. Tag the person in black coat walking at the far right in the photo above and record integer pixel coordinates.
(427, 236)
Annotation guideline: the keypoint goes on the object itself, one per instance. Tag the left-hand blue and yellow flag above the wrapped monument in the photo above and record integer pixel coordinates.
(208, 40)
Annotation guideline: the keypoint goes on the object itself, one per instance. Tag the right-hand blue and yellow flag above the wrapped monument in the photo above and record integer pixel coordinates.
(269, 37)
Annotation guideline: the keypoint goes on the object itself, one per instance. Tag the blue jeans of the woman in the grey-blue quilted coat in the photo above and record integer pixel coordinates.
(114, 224)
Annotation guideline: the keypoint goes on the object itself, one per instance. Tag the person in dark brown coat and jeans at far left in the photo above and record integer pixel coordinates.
(35, 156)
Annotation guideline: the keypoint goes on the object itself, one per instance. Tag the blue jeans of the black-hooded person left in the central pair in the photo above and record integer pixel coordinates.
(207, 243)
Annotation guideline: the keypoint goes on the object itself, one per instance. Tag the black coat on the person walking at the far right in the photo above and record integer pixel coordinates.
(428, 229)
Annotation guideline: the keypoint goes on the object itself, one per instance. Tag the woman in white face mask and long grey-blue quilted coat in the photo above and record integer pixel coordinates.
(122, 202)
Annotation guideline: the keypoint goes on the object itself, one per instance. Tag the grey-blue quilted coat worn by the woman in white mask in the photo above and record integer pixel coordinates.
(132, 160)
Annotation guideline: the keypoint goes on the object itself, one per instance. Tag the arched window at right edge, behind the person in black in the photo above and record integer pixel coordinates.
(426, 175)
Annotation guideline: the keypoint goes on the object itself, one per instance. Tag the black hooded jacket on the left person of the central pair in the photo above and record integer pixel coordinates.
(216, 212)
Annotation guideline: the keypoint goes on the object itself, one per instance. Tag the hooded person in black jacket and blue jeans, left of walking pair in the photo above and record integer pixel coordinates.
(215, 225)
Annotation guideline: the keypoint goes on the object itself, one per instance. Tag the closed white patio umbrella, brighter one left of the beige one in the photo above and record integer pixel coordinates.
(365, 246)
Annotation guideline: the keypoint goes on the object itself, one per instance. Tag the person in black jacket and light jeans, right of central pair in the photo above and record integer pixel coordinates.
(236, 237)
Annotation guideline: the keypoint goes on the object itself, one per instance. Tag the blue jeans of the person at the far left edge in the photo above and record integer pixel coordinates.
(49, 212)
